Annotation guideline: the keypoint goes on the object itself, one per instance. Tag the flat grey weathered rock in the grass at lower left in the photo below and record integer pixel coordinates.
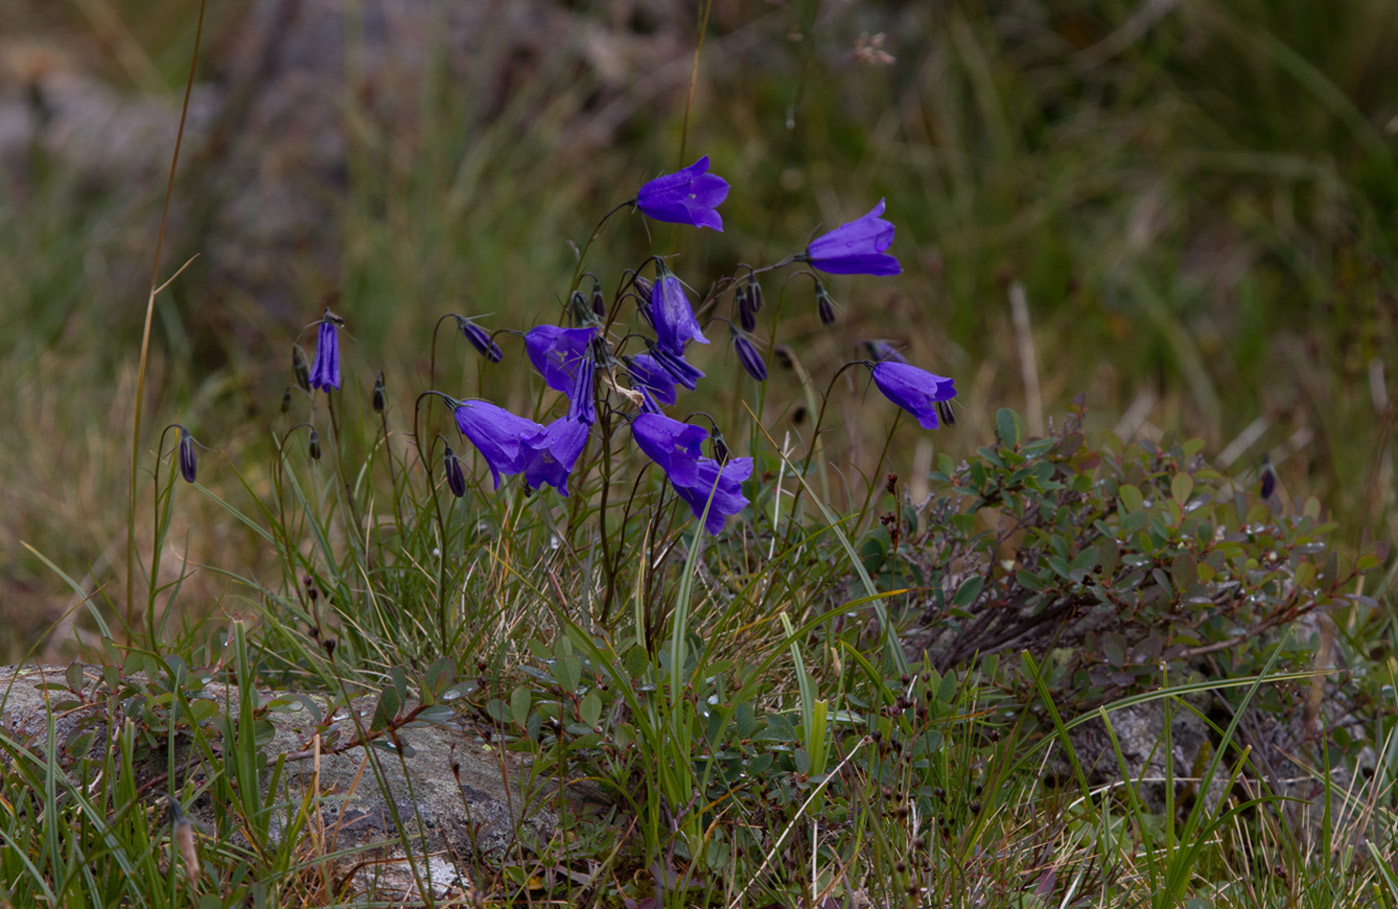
(456, 796)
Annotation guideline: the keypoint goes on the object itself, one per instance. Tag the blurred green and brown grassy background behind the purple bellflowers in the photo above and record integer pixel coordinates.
(1199, 199)
